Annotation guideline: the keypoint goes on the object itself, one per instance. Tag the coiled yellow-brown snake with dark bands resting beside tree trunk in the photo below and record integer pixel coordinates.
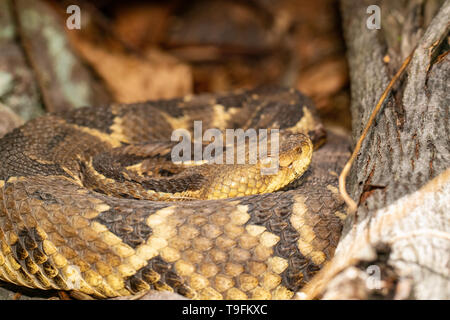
(85, 201)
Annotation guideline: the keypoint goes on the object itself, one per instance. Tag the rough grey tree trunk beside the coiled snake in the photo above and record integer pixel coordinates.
(401, 177)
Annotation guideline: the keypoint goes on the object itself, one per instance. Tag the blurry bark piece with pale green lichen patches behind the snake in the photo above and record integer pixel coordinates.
(65, 82)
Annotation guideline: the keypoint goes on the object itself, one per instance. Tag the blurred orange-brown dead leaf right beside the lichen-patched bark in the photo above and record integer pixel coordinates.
(133, 78)
